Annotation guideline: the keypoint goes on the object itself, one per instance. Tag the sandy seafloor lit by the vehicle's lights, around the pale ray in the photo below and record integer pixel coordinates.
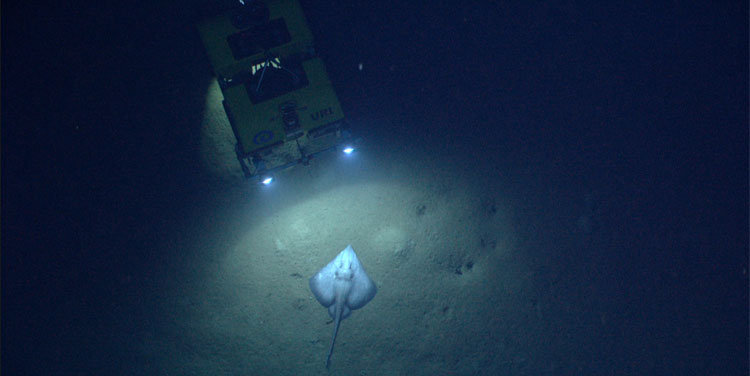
(467, 269)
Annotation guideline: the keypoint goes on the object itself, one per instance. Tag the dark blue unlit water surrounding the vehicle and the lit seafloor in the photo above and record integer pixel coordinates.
(640, 111)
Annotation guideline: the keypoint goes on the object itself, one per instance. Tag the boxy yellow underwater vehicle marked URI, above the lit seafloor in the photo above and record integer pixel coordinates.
(277, 95)
